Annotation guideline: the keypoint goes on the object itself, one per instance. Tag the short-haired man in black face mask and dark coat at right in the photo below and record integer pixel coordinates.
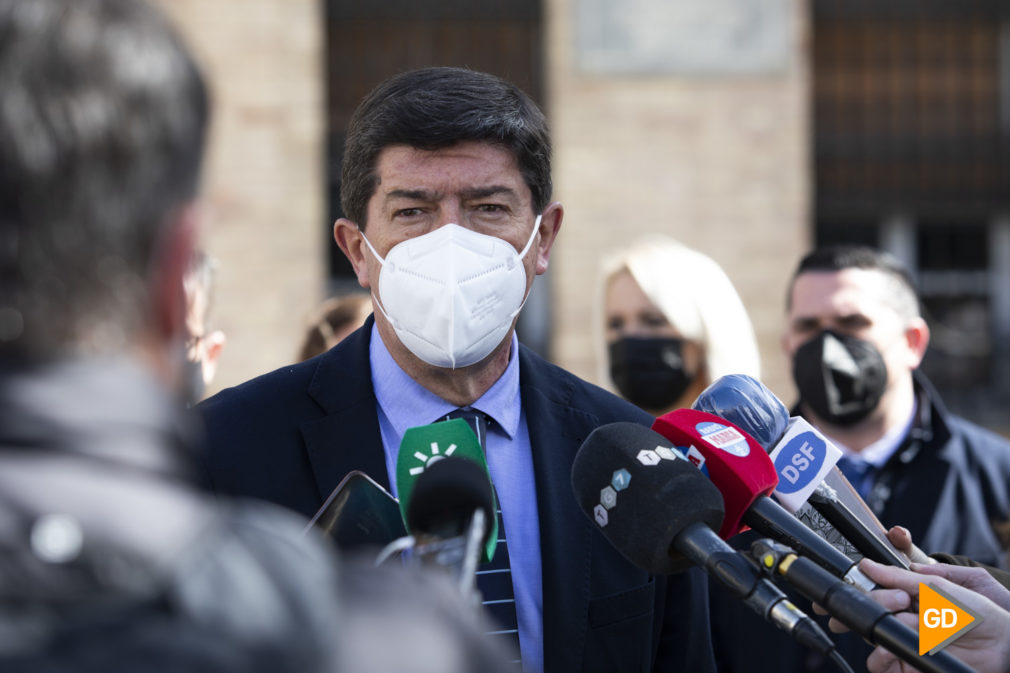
(856, 339)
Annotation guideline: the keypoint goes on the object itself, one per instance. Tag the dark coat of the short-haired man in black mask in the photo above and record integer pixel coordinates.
(949, 484)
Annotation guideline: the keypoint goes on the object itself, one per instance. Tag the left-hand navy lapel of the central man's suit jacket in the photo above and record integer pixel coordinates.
(348, 438)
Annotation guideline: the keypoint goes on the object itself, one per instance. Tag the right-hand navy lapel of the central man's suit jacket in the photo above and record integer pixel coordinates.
(557, 431)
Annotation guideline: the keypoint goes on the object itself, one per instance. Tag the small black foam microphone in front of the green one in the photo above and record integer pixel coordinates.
(449, 513)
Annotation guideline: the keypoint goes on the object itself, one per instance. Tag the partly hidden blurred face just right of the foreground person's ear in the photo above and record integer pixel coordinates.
(204, 345)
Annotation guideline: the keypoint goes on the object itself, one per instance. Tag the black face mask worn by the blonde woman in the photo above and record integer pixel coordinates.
(650, 372)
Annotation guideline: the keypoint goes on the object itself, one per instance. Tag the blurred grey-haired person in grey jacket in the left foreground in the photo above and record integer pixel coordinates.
(112, 559)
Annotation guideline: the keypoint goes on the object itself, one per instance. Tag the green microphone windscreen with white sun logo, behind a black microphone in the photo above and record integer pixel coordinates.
(426, 446)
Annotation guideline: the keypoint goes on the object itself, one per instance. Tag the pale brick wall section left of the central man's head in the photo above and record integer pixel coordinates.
(264, 181)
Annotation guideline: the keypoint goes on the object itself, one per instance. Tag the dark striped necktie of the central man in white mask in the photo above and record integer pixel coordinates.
(494, 580)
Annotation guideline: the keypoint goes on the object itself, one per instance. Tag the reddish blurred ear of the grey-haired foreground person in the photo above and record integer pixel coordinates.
(170, 260)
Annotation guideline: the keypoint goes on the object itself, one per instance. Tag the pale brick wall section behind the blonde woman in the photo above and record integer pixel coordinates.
(720, 163)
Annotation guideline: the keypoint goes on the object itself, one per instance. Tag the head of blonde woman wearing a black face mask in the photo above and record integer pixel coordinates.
(672, 324)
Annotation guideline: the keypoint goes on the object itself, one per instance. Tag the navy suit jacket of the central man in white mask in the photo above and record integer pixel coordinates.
(290, 436)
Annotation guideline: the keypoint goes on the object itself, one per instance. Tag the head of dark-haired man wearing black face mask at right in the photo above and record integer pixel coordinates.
(855, 335)
